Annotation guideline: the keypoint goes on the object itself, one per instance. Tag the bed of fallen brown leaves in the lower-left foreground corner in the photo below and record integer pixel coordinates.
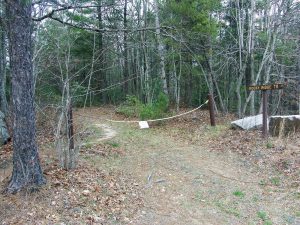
(85, 195)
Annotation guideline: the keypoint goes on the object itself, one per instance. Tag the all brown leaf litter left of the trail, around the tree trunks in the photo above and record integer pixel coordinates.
(85, 195)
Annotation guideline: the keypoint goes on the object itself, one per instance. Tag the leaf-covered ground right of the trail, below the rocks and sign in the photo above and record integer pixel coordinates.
(280, 153)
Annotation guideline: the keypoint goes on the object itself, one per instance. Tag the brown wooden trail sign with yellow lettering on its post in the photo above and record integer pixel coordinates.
(264, 89)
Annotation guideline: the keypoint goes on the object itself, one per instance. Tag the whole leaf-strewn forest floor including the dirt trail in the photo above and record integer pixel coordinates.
(178, 172)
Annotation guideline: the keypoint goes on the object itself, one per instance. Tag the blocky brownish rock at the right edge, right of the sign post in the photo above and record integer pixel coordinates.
(284, 125)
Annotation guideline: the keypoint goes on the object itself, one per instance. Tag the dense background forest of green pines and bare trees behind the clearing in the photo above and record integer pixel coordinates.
(100, 52)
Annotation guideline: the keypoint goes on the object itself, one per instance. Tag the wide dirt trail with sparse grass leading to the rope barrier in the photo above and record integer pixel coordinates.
(187, 183)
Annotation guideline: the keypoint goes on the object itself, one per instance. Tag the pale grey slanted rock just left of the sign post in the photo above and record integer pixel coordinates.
(248, 123)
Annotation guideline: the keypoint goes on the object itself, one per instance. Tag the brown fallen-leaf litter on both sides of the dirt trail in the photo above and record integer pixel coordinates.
(88, 195)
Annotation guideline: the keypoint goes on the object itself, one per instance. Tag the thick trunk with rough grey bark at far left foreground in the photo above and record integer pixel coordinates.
(27, 171)
